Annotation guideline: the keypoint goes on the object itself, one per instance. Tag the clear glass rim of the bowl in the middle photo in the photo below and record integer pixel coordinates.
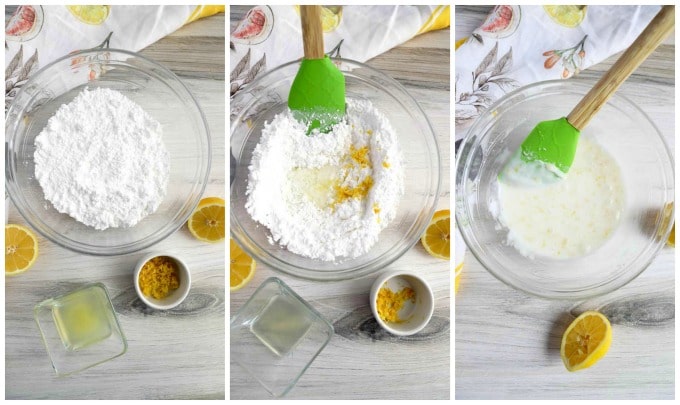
(364, 269)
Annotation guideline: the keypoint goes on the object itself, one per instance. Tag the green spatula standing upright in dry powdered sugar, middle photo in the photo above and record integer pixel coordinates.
(317, 96)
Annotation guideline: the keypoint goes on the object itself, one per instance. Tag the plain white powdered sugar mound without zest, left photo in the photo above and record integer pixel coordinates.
(101, 160)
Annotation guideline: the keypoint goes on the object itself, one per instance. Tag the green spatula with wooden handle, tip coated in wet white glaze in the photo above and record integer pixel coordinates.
(547, 153)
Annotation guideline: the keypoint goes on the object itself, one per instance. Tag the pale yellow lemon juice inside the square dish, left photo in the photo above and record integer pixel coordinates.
(82, 318)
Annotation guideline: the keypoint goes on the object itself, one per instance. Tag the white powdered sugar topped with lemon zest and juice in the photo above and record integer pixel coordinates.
(326, 196)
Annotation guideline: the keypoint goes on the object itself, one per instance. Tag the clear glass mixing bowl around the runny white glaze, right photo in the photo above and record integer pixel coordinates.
(624, 131)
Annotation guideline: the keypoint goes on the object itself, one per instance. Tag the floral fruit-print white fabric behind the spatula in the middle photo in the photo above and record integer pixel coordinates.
(269, 36)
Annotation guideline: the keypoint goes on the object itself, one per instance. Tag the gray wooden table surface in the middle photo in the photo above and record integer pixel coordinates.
(362, 361)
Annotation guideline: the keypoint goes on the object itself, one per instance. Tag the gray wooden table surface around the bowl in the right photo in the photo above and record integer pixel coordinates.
(507, 343)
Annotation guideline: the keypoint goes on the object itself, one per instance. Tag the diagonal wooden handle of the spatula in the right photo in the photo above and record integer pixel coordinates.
(651, 37)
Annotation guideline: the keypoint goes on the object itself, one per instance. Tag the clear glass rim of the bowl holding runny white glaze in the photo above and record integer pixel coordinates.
(595, 291)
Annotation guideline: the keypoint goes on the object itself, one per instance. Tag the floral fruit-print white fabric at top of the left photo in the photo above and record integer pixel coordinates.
(38, 35)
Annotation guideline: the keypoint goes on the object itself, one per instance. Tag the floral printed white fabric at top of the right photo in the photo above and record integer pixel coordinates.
(520, 45)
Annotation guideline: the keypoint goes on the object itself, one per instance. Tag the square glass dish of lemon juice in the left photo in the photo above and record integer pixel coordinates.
(80, 329)
